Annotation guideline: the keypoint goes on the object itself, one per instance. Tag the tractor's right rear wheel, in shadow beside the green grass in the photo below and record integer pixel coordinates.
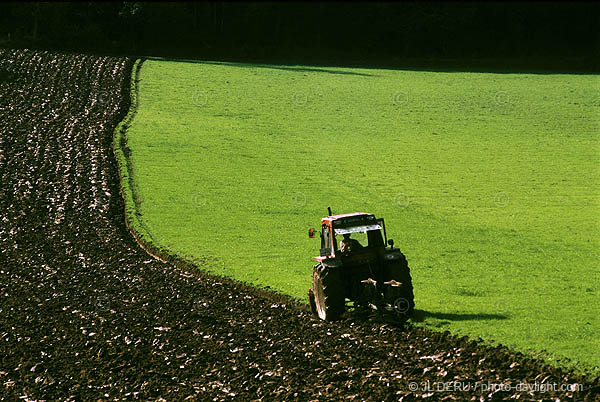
(400, 296)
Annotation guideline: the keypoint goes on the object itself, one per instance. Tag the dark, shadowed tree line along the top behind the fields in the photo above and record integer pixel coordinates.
(382, 32)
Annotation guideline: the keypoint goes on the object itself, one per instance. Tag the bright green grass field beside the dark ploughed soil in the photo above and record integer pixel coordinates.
(489, 183)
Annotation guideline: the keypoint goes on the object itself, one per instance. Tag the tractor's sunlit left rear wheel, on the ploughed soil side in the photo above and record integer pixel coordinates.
(328, 291)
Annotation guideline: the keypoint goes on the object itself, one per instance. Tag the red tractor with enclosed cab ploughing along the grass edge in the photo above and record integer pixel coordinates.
(367, 269)
